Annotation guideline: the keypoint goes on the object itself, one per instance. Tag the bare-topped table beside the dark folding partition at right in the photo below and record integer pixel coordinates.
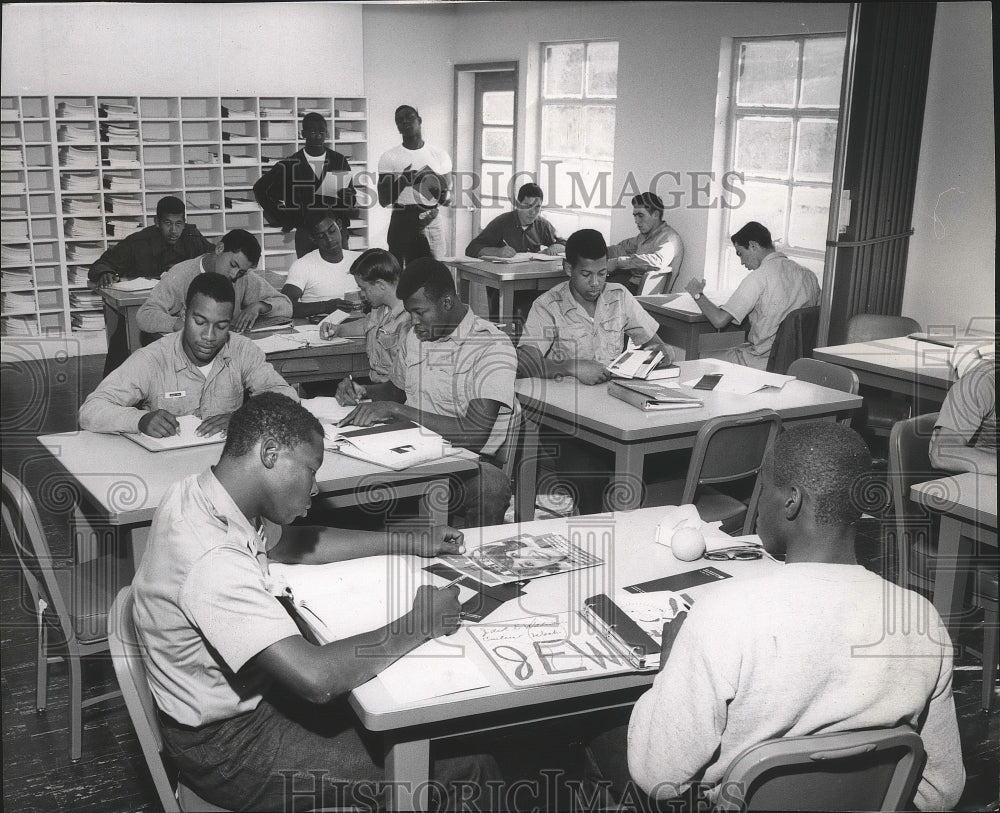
(918, 370)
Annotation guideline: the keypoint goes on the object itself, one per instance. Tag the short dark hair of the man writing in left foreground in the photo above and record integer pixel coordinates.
(269, 414)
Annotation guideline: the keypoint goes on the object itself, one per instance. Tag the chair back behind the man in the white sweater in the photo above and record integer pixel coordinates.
(877, 769)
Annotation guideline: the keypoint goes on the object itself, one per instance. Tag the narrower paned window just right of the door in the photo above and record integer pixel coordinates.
(577, 141)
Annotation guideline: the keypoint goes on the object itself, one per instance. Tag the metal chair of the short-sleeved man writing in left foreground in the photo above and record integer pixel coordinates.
(126, 653)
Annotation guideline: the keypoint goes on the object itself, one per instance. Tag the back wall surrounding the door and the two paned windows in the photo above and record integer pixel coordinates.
(667, 77)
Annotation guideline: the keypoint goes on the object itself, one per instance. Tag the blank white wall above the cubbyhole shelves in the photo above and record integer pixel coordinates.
(181, 49)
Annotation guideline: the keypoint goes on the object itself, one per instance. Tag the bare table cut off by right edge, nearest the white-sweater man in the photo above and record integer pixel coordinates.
(967, 504)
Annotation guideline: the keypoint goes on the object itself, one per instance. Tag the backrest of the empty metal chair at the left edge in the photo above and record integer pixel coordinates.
(24, 528)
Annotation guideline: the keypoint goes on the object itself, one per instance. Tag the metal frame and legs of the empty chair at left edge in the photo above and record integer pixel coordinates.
(24, 527)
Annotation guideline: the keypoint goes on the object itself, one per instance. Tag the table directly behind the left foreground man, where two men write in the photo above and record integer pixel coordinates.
(122, 483)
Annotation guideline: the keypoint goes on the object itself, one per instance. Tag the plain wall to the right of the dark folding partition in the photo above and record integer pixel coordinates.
(951, 267)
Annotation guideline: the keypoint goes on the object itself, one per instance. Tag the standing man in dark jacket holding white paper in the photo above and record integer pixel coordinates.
(315, 177)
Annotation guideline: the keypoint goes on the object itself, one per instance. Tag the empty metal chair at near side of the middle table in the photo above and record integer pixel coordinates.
(727, 449)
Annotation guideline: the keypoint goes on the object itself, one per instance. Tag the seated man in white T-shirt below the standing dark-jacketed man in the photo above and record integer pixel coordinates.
(319, 281)
